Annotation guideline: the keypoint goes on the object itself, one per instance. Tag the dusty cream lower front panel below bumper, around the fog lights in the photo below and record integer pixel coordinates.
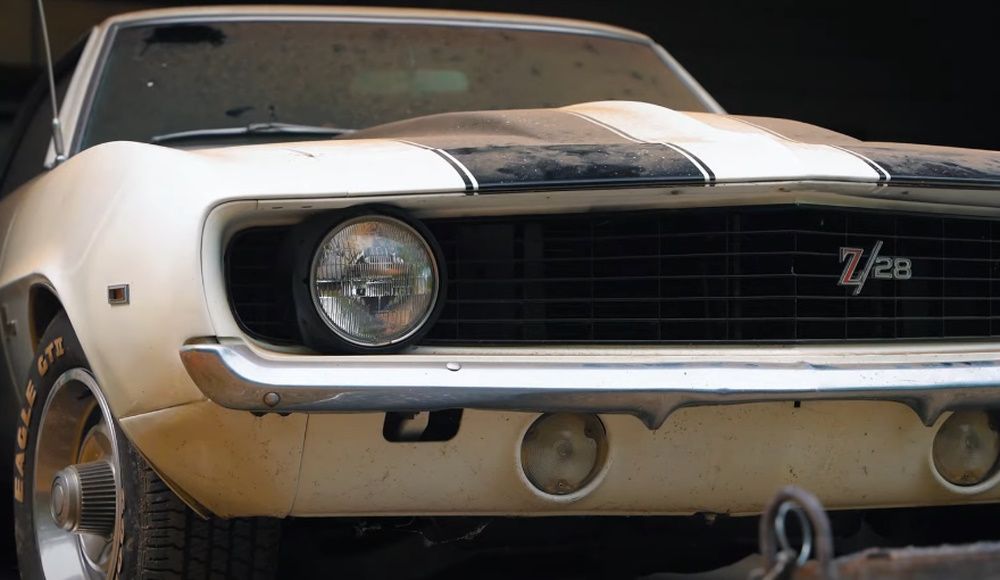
(720, 459)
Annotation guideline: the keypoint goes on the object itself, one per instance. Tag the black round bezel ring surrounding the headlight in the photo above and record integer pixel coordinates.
(319, 332)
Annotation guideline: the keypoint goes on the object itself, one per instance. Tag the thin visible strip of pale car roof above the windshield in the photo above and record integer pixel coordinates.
(359, 13)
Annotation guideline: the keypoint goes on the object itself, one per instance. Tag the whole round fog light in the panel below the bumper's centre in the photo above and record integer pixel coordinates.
(563, 452)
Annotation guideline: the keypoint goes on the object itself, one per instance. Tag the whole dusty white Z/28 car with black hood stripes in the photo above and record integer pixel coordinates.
(351, 262)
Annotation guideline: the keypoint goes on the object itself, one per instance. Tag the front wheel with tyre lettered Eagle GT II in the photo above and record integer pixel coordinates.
(87, 505)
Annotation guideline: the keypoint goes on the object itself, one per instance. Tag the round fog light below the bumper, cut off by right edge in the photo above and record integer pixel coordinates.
(966, 448)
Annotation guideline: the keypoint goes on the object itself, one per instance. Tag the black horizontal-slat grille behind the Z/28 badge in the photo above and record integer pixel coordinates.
(733, 275)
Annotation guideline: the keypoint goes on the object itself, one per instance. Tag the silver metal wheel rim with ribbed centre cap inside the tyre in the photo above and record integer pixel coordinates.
(76, 498)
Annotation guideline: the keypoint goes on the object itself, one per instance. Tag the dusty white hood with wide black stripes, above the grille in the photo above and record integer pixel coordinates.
(626, 143)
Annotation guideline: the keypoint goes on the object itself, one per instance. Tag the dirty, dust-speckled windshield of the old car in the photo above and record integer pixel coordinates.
(352, 75)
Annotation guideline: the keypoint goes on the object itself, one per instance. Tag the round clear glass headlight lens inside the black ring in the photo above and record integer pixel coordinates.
(374, 280)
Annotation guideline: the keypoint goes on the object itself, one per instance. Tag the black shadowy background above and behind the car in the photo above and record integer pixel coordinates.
(890, 71)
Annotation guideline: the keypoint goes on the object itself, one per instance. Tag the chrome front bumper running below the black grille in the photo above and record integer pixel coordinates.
(236, 376)
